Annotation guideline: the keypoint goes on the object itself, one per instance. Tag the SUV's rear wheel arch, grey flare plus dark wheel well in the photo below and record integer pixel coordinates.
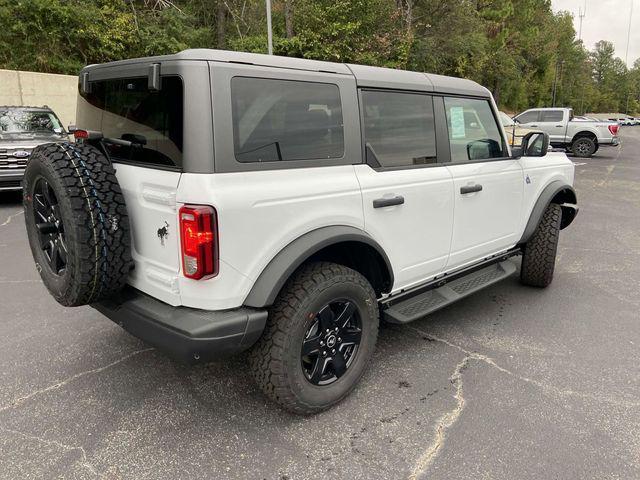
(346, 245)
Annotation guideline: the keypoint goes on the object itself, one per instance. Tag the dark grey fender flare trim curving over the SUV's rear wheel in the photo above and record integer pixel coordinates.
(281, 267)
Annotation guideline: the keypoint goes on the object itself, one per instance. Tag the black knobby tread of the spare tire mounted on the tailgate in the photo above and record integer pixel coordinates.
(99, 226)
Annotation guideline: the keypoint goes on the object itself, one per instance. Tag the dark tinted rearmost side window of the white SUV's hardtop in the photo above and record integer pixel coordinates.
(283, 120)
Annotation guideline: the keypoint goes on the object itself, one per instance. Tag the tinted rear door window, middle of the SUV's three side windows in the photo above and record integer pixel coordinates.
(399, 128)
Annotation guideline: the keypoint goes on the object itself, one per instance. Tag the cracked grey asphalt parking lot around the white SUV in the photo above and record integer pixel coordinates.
(511, 383)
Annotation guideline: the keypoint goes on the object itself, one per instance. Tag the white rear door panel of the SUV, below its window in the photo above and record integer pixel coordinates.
(415, 235)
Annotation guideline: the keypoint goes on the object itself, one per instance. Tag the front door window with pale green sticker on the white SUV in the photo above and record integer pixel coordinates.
(473, 130)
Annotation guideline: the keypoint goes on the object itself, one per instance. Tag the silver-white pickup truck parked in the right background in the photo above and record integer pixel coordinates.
(580, 138)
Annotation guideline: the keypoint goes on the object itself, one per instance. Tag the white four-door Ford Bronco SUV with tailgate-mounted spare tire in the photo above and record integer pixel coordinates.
(216, 202)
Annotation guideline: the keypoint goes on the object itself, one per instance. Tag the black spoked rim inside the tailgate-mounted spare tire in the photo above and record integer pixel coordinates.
(49, 226)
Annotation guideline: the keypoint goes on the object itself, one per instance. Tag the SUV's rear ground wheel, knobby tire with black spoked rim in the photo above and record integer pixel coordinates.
(319, 338)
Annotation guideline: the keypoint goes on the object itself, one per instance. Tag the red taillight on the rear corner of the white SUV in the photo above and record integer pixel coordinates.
(199, 238)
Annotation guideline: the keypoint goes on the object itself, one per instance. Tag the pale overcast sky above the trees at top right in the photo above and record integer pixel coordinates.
(606, 20)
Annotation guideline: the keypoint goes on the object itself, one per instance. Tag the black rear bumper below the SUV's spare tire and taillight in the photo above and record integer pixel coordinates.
(187, 334)
